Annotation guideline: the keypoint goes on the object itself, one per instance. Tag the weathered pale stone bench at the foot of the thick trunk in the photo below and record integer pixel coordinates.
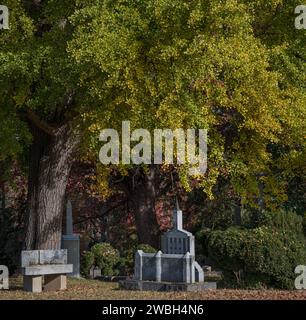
(48, 264)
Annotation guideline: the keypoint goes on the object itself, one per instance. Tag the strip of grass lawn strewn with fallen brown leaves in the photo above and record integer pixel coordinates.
(95, 289)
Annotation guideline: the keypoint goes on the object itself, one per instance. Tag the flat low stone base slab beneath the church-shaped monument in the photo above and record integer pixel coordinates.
(138, 285)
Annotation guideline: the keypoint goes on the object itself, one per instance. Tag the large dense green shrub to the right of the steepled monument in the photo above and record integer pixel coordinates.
(262, 256)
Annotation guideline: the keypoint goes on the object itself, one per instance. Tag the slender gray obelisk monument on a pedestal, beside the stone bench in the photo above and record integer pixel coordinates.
(71, 242)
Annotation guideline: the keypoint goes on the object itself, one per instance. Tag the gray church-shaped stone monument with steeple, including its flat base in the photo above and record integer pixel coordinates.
(173, 268)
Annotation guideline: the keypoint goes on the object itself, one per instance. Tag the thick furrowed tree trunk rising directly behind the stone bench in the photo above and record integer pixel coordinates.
(50, 163)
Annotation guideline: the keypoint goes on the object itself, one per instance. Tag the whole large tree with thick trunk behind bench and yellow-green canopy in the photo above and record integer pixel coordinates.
(70, 68)
